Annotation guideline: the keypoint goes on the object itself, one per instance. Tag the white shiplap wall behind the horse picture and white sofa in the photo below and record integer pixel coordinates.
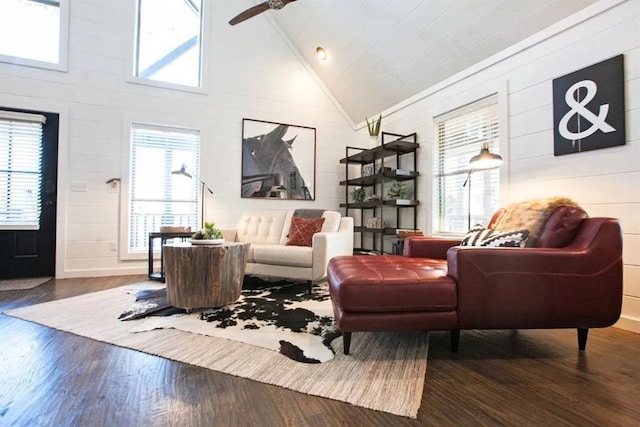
(251, 73)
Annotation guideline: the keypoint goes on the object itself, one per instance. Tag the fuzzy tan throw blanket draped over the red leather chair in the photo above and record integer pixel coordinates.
(530, 215)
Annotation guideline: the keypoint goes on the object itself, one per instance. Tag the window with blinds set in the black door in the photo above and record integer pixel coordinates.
(20, 170)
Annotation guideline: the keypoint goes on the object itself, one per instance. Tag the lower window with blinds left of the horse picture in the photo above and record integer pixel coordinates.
(156, 196)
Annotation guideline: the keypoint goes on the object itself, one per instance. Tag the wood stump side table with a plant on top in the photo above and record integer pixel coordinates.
(199, 276)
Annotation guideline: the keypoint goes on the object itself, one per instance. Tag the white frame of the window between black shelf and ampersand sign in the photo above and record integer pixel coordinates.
(497, 146)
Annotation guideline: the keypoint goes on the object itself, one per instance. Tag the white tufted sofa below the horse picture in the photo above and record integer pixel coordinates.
(269, 255)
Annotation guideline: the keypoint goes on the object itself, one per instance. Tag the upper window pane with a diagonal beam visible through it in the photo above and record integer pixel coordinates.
(169, 41)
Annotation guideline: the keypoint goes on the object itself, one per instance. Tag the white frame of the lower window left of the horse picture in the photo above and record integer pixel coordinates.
(125, 211)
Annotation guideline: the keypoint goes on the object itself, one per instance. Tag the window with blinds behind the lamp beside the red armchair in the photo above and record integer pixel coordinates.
(464, 197)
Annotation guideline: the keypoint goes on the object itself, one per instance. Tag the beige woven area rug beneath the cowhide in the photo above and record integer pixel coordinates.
(384, 371)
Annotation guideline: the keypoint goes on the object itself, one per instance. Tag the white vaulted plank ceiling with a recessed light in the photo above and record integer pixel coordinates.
(382, 52)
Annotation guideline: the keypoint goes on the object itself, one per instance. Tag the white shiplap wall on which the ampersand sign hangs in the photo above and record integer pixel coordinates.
(604, 182)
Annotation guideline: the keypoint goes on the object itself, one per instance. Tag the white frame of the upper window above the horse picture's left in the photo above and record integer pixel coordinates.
(204, 57)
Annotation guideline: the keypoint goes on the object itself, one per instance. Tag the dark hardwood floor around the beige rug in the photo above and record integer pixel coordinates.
(513, 378)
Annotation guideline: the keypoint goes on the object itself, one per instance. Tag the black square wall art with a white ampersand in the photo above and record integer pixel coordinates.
(588, 108)
